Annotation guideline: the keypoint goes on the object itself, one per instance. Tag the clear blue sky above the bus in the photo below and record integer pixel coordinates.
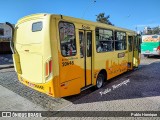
(130, 14)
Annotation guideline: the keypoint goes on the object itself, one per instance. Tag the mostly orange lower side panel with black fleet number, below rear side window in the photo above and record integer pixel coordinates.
(70, 76)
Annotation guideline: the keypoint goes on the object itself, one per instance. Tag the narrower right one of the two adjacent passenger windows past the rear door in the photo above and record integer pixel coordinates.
(120, 41)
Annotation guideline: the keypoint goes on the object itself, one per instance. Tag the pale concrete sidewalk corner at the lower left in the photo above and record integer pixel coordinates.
(10, 101)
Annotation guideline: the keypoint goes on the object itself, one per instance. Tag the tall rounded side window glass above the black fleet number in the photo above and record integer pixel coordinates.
(67, 39)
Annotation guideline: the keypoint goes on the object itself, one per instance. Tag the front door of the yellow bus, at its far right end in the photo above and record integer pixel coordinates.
(136, 59)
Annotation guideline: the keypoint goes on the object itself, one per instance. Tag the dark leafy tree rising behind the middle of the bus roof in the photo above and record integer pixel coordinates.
(103, 19)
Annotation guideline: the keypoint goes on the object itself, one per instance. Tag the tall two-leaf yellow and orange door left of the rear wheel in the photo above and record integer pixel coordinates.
(85, 41)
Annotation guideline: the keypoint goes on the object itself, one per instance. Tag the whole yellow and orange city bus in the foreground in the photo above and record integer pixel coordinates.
(62, 56)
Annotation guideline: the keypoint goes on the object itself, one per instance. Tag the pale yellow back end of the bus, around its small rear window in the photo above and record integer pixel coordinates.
(32, 53)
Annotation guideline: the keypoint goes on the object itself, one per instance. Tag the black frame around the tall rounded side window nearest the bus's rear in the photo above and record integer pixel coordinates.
(60, 37)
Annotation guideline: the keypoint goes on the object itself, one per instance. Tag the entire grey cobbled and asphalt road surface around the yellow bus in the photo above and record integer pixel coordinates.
(133, 91)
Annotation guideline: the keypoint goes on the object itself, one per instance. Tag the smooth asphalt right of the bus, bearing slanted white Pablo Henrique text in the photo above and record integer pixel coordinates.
(137, 90)
